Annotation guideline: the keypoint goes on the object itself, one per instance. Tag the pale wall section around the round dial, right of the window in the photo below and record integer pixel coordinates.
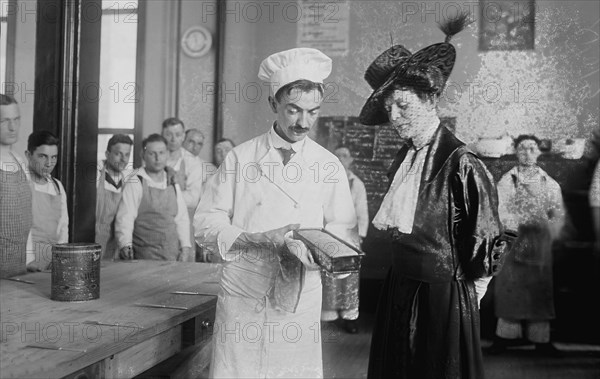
(172, 82)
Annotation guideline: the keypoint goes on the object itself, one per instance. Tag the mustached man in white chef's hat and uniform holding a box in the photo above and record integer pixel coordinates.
(268, 310)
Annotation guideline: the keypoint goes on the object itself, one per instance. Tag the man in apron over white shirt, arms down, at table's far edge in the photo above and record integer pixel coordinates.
(152, 220)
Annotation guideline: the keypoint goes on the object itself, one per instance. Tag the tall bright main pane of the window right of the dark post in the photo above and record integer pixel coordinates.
(117, 70)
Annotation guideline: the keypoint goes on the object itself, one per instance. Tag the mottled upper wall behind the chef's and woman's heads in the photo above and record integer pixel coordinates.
(557, 83)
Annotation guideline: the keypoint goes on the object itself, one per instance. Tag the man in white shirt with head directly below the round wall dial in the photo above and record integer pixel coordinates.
(184, 168)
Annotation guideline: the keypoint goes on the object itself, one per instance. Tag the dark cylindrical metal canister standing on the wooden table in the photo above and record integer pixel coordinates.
(76, 271)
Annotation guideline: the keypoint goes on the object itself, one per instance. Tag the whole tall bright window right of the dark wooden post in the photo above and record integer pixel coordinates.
(117, 88)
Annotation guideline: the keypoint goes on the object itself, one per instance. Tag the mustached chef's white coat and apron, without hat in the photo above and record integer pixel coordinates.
(253, 192)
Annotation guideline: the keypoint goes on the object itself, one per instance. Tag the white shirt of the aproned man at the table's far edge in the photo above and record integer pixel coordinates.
(130, 203)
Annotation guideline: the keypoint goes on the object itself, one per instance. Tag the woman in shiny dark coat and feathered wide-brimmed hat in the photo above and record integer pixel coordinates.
(441, 209)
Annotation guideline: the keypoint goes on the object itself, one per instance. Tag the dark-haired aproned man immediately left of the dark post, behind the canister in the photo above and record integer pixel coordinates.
(49, 201)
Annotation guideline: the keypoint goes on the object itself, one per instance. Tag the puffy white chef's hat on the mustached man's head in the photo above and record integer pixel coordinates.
(288, 66)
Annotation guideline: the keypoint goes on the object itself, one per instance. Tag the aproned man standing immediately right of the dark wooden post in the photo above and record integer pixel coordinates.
(112, 176)
